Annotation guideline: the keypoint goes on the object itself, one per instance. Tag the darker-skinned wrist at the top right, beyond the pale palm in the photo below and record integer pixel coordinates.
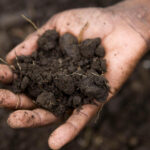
(136, 13)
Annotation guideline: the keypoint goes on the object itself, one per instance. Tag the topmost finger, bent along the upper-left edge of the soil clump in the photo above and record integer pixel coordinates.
(28, 46)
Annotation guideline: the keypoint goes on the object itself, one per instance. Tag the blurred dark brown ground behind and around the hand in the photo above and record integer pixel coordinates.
(124, 123)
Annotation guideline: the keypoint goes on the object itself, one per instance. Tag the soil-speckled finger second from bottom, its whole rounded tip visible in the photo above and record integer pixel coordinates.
(27, 118)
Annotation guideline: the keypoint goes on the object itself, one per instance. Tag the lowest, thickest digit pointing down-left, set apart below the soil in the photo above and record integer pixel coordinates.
(66, 132)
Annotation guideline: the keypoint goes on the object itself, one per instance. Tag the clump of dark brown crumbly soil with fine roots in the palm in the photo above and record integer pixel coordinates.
(62, 74)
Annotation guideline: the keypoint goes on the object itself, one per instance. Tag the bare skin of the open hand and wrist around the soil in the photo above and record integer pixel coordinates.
(125, 38)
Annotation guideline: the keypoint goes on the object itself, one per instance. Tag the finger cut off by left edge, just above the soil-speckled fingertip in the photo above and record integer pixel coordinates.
(10, 100)
